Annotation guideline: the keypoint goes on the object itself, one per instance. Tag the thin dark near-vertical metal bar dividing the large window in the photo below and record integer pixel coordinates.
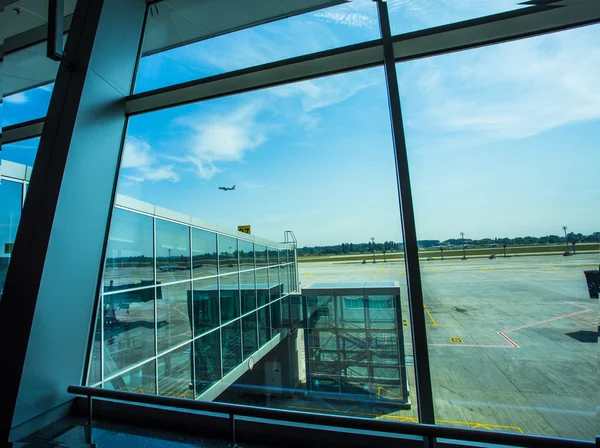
(407, 217)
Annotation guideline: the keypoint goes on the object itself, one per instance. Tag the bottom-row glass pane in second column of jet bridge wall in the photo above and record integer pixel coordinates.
(175, 373)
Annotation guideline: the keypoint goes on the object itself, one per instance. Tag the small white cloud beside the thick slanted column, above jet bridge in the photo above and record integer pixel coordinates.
(140, 164)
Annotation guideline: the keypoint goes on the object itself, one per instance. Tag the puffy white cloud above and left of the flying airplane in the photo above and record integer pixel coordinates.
(222, 138)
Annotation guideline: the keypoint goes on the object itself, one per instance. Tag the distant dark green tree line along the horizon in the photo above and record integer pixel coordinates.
(391, 246)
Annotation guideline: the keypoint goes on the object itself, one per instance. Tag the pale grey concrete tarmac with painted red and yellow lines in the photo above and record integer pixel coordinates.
(512, 341)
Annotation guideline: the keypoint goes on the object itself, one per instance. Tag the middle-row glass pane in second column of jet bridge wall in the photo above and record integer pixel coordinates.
(173, 315)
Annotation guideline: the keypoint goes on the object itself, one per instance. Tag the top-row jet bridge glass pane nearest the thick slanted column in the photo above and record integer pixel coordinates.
(130, 251)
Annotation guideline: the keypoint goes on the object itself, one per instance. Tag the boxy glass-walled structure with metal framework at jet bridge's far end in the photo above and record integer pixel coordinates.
(354, 344)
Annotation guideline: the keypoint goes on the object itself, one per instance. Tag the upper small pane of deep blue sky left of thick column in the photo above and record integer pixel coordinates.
(26, 105)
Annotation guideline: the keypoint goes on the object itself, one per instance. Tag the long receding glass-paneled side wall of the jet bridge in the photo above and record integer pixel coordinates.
(179, 311)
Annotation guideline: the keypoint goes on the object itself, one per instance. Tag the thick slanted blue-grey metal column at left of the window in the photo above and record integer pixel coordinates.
(50, 296)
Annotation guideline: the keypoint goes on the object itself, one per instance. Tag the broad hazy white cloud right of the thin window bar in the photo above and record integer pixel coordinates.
(514, 90)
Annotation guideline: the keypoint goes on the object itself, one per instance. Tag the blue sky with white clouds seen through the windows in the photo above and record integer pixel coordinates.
(503, 140)
